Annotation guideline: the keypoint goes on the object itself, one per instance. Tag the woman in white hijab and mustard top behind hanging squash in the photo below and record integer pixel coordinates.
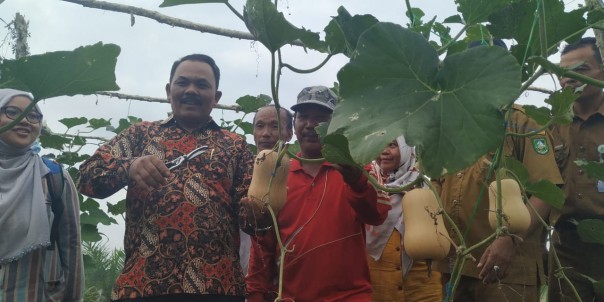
(394, 276)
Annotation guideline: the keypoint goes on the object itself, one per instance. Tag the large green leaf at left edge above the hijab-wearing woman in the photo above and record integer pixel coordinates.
(85, 70)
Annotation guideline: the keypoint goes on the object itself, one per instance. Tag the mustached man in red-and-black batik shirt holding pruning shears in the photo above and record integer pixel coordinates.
(182, 234)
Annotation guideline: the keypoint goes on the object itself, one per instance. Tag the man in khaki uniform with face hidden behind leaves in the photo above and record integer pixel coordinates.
(505, 269)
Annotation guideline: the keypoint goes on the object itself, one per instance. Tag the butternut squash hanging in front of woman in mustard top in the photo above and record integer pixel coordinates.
(426, 236)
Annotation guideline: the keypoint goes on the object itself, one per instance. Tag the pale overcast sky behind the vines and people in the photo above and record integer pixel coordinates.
(148, 50)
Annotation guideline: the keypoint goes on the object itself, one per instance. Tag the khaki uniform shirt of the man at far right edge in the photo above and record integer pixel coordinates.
(580, 140)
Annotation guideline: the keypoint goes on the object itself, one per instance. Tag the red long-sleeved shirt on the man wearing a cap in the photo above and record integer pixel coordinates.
(322, 223)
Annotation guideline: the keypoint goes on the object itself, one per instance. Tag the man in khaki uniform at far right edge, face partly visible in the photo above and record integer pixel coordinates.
(582, 139)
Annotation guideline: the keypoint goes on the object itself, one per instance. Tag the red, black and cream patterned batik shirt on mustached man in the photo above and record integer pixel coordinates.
(184, 236)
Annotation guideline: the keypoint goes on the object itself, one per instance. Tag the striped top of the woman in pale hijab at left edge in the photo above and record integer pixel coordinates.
(50, 275)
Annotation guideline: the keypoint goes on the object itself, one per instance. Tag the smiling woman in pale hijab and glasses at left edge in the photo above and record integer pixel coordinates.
(28, 270)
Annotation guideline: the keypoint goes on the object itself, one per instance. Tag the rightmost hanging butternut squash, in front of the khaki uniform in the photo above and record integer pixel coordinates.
(516, 216)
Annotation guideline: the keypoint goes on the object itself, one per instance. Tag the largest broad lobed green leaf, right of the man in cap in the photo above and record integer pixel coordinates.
(450, 111)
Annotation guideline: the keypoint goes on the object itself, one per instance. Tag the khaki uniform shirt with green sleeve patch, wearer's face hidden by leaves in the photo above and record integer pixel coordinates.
(461, 194)
